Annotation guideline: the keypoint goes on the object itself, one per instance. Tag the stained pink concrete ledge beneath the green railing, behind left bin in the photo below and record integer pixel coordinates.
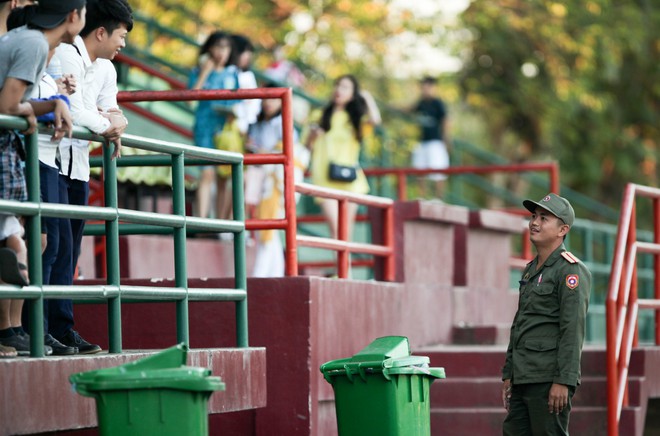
(36, 395)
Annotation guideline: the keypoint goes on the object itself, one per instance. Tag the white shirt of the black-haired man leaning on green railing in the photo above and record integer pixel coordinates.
(97, 89)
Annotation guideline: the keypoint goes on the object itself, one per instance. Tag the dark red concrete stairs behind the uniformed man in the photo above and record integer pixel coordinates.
(468, 401)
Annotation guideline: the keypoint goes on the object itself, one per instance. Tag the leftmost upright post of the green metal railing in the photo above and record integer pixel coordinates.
(33, 224)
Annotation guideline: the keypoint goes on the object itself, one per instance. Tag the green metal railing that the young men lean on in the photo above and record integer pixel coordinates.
(115, 218)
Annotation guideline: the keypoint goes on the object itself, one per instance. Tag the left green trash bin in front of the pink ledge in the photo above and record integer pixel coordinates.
(157, 395)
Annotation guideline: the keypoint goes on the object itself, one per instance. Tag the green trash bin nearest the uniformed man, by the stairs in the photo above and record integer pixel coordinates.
(382, 390)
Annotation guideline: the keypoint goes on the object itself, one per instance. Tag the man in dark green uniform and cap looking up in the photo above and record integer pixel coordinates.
(542, 368)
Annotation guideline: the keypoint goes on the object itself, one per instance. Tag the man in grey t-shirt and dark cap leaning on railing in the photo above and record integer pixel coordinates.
(23, 54)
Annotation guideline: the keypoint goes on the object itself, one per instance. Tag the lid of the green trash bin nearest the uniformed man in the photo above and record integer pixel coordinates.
(389, 355)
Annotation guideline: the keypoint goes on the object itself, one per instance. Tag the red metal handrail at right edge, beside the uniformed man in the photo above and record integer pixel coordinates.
(622, 305)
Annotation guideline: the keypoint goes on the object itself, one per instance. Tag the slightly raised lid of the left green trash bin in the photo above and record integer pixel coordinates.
(164, 370)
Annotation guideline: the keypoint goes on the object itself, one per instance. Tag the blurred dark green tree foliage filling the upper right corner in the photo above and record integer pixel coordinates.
(575, 80)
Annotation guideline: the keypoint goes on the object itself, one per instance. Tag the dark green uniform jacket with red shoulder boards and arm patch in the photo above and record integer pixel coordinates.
(548, 329)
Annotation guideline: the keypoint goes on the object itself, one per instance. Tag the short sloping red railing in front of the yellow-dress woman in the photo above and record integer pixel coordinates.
(342, 245)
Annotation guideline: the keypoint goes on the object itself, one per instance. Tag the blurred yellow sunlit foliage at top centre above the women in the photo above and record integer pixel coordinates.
(327, 37)
